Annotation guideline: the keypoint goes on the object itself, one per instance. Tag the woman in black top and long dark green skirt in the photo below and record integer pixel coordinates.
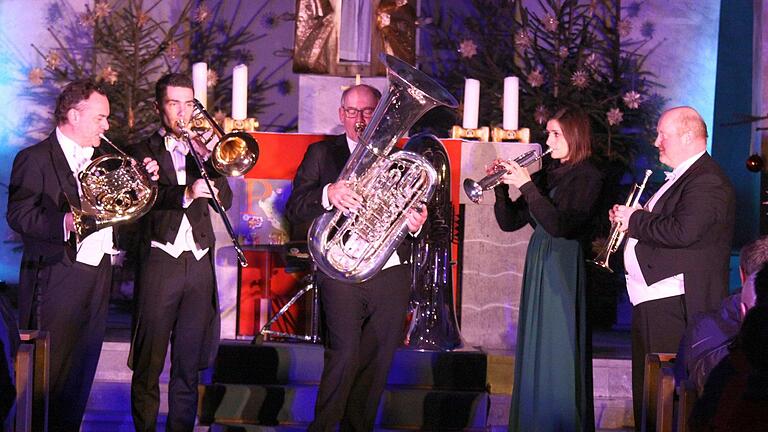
(553, 365)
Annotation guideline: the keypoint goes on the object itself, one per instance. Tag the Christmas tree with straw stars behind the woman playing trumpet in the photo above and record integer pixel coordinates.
(568, 53)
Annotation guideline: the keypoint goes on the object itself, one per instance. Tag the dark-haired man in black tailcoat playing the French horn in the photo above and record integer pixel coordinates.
(63, 285)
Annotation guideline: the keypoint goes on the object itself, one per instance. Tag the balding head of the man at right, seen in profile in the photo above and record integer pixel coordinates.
(682, 134)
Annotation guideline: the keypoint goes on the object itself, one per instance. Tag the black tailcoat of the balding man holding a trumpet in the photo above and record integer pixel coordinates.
(690, 231)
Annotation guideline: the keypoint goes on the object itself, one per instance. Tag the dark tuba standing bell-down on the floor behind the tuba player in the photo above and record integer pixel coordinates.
(433, 324)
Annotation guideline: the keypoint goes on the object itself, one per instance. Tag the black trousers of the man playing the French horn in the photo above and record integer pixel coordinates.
(71, 303)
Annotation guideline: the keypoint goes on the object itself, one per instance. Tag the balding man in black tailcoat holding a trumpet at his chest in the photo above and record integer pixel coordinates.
(679, 244)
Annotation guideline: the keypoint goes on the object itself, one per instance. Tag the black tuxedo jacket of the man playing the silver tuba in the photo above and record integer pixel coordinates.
(321, 165)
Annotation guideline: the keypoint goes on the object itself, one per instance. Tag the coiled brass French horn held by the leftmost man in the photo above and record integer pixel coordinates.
(117, 188)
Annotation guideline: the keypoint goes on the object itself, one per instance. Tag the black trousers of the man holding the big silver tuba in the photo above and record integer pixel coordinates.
(364, 327)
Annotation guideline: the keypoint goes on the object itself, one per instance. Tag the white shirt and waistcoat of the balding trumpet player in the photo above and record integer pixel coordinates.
(639, 291)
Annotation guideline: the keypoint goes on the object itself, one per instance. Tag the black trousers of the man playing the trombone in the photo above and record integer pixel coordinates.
(174, 303)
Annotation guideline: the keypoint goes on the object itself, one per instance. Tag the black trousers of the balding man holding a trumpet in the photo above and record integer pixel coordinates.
(657, 326)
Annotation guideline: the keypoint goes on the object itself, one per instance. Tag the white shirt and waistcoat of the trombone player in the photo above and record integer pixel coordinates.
(184, 240)
